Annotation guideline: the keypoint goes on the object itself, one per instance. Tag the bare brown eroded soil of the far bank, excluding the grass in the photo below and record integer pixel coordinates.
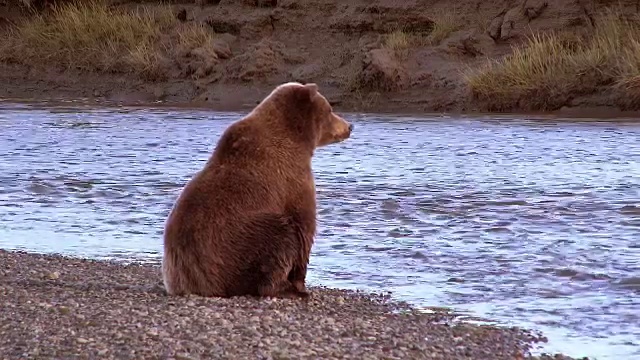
(338, 45)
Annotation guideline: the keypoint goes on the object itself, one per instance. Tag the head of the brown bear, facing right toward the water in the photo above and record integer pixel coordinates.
(307, 114)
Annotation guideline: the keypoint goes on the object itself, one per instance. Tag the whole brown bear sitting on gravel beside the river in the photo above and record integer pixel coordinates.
(245, 223)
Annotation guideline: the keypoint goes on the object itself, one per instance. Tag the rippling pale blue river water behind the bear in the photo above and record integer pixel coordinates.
(530, 223)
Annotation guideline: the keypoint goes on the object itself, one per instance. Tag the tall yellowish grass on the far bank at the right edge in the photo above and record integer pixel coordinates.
(552, 68)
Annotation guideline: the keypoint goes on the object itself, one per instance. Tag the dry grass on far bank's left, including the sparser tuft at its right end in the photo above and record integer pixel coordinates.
(91, 36)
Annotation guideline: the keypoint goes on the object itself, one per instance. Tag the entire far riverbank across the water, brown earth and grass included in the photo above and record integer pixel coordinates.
(384, 57)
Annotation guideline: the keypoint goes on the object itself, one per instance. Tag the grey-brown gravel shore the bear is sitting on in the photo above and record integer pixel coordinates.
(54, 307)
